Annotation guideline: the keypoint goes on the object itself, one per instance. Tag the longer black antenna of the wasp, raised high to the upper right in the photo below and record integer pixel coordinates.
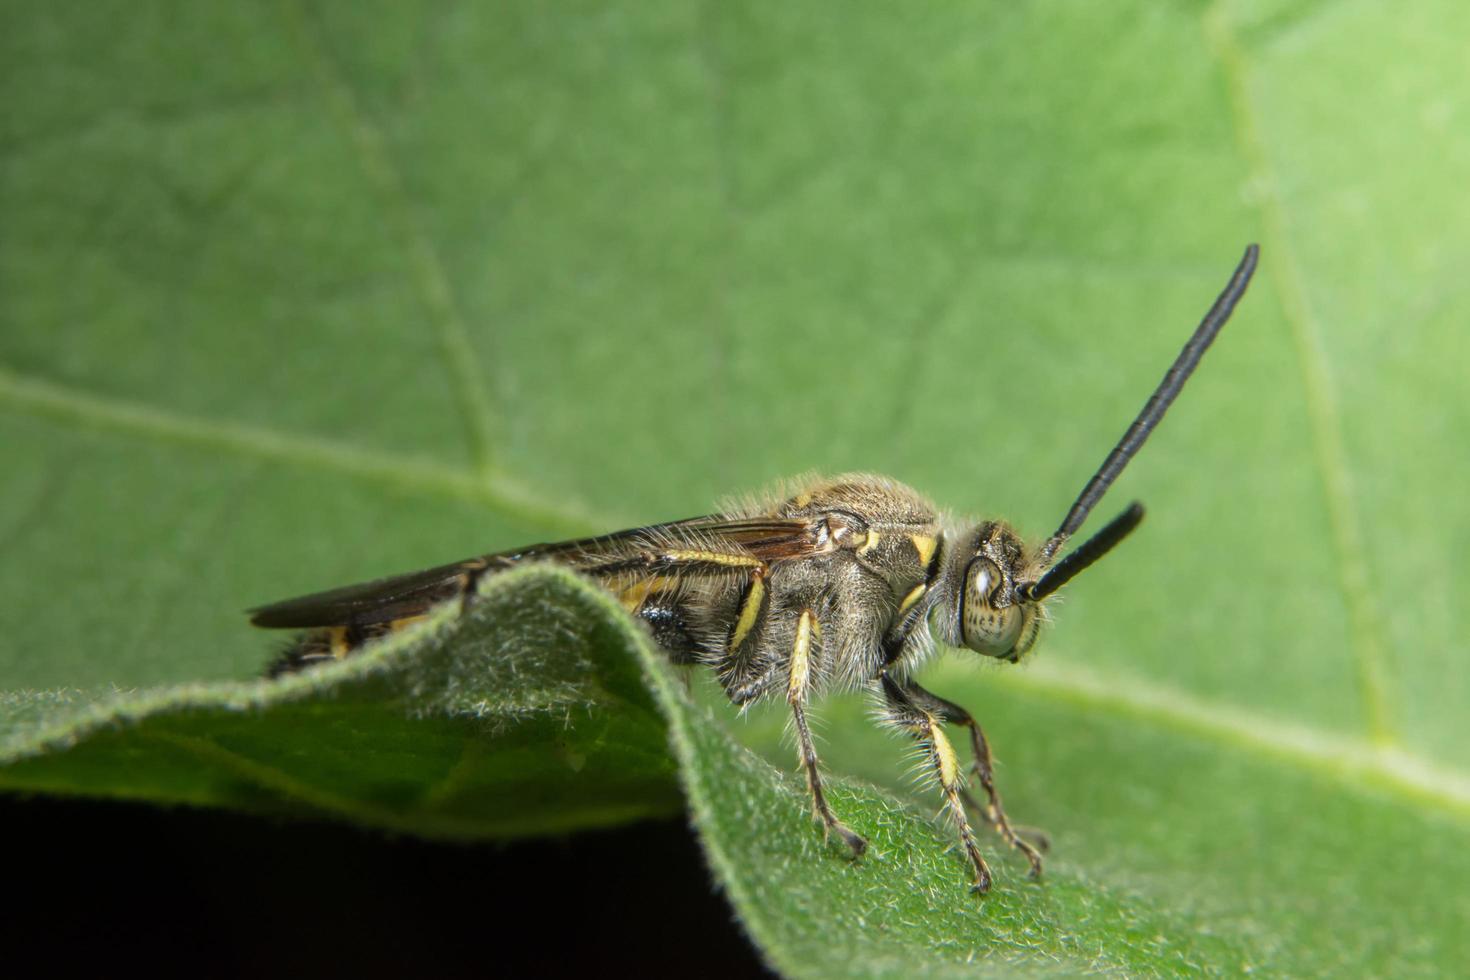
(1134, 440)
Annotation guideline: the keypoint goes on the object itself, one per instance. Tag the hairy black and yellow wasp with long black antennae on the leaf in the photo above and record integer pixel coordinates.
(843, 584)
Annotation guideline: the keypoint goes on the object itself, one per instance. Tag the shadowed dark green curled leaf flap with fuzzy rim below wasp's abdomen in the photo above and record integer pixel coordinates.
(496, 725)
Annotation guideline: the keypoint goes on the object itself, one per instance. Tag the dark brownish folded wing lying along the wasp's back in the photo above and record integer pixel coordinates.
(692, 547)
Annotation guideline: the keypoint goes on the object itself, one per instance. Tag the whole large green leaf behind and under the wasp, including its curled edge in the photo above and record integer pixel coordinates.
(299, 295)
